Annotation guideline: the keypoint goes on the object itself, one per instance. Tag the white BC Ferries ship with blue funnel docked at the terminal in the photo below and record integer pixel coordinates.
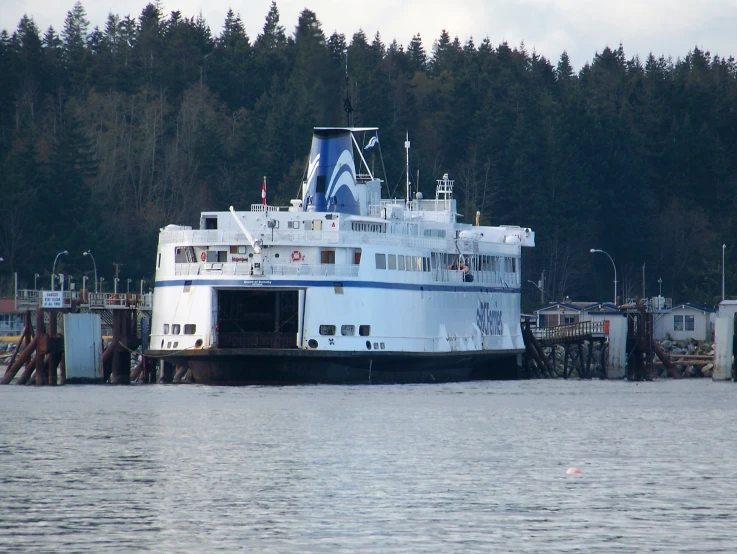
(341, 286)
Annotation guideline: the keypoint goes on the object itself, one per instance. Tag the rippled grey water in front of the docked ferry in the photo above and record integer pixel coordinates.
(471, 467)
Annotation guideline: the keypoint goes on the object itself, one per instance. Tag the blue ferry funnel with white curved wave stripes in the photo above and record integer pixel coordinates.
(331, 175)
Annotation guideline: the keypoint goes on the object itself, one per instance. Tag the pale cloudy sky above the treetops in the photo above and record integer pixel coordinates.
(582, 27)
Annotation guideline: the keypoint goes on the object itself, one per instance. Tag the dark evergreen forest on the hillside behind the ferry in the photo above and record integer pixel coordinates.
(109, 134)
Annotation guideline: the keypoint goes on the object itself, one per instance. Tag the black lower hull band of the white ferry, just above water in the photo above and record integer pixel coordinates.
(293, 366)
